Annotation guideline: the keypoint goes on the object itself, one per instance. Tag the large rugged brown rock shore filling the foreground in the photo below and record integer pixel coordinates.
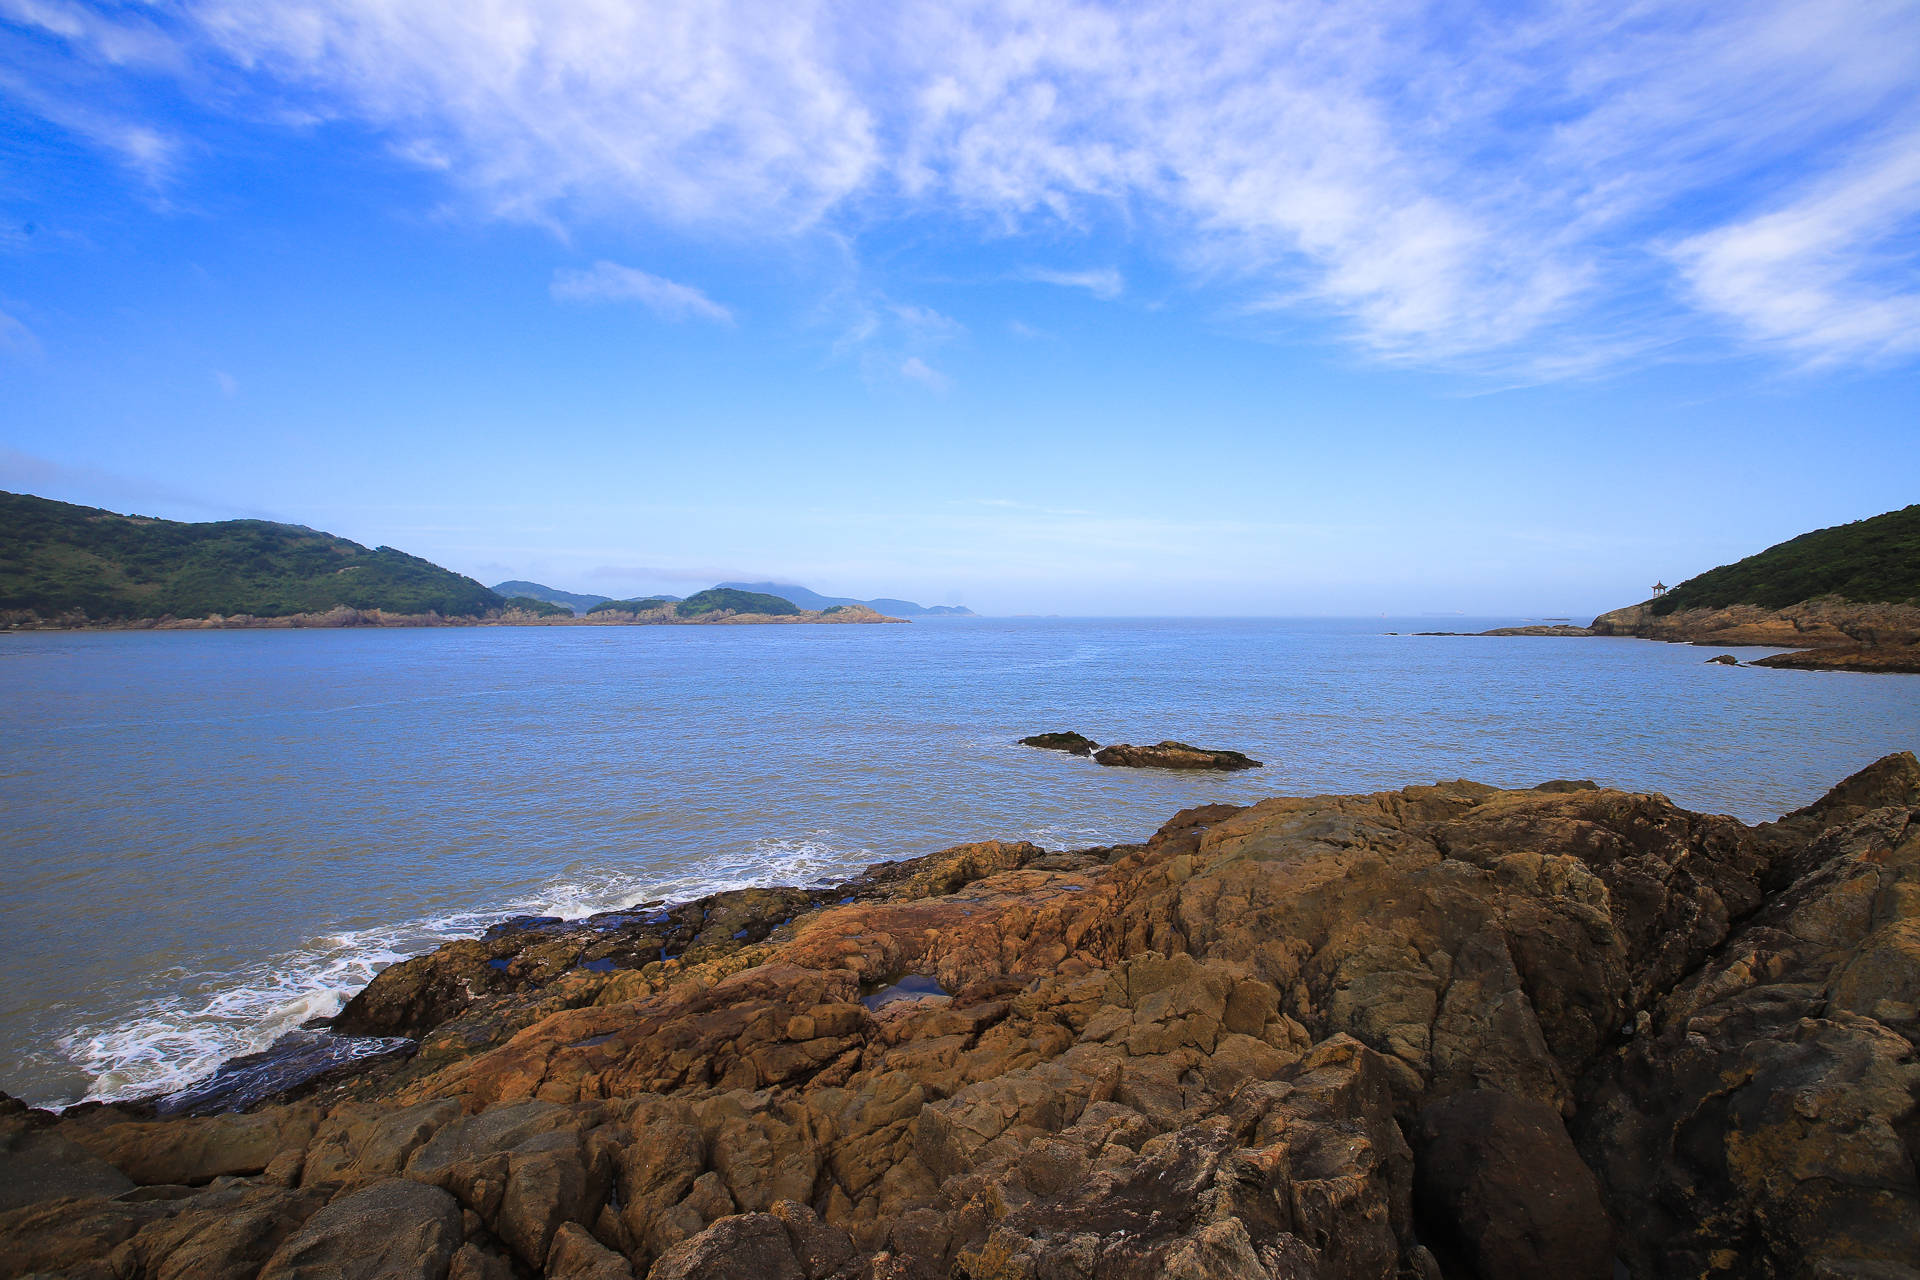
(1433, 1033)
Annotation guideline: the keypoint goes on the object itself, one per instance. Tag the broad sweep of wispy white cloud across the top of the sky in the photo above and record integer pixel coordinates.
(1535, 189)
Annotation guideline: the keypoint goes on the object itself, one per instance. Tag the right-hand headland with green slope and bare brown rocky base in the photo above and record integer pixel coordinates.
(1846, 598)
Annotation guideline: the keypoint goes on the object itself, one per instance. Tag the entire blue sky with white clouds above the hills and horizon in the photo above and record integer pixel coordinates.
(1032, 306)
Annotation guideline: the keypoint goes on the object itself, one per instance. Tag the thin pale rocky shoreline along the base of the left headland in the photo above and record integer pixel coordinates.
(379, 619)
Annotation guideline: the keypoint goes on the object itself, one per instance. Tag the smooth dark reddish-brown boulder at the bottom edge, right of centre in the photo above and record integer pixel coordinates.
(1500, 1191)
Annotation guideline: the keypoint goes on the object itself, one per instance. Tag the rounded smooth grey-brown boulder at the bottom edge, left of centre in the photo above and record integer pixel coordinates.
(389, 1231)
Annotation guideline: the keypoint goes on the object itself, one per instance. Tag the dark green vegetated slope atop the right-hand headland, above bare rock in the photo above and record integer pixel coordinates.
(1871, 561)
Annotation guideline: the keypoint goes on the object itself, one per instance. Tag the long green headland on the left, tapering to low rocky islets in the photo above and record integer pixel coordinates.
(84, 567)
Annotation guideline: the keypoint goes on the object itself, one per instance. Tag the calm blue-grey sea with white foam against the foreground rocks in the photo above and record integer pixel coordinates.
(214, 836)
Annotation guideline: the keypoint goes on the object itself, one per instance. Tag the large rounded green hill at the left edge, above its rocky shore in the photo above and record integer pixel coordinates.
(60, 559)
